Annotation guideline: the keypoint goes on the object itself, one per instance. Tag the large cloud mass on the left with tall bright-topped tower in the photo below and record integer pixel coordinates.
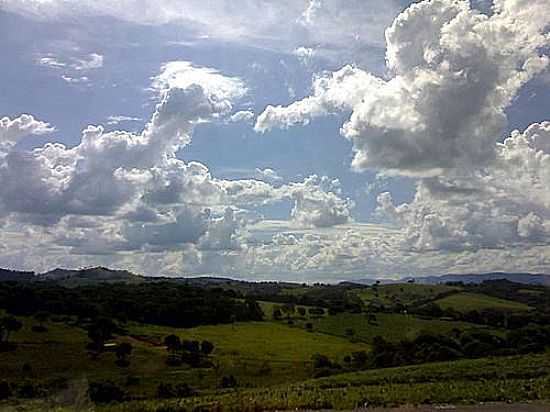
(119, 192)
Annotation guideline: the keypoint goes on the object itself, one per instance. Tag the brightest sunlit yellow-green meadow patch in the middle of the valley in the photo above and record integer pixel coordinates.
(245, 349)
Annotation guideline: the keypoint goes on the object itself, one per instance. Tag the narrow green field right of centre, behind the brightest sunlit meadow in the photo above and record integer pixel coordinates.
(392, 327)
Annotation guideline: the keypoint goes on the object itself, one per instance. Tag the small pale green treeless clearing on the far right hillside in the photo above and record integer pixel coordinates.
(464, 302)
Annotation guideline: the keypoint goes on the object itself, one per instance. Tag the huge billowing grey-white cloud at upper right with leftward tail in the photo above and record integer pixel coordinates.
(454, 73)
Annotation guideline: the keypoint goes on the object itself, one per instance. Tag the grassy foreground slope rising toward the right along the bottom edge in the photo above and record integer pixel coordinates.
(466, 381)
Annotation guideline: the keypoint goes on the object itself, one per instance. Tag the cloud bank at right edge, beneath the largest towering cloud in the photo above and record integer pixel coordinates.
(507, 205)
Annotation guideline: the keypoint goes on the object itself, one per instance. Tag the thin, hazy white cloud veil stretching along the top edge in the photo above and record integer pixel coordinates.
(252, 22)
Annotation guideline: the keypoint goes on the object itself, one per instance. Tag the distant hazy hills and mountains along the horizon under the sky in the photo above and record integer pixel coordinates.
(94, 275)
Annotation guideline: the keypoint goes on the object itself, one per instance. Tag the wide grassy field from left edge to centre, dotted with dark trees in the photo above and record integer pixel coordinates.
(257, 354)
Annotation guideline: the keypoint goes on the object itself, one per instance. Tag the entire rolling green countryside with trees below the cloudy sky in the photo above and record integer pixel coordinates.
(105, 340)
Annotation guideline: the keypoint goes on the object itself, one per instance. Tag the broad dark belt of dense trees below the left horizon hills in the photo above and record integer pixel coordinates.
(164, 303)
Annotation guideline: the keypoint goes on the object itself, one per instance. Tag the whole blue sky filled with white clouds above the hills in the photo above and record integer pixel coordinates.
(301, 140)
